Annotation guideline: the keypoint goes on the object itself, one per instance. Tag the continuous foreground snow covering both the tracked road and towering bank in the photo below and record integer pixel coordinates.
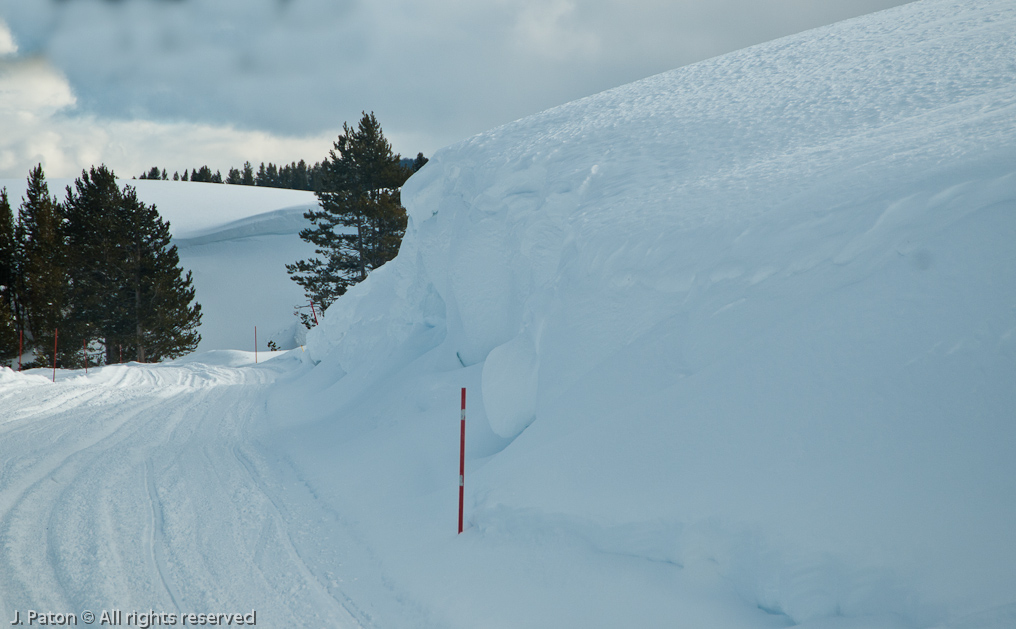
(739, 344)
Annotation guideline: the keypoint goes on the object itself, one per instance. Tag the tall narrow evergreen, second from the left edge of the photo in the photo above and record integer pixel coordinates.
(44, 259)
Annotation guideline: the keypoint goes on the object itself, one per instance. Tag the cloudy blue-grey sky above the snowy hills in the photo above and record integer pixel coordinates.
(180, 84)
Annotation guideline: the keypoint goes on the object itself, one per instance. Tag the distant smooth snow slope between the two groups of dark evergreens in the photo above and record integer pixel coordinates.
(237, 241)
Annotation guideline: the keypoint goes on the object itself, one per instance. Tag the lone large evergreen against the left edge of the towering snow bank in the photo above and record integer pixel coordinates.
(361, 223)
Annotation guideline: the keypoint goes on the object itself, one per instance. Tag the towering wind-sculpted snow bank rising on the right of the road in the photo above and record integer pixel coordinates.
(769, 298)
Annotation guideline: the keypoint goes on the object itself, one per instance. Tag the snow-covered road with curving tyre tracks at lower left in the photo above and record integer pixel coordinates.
(146, 488)
